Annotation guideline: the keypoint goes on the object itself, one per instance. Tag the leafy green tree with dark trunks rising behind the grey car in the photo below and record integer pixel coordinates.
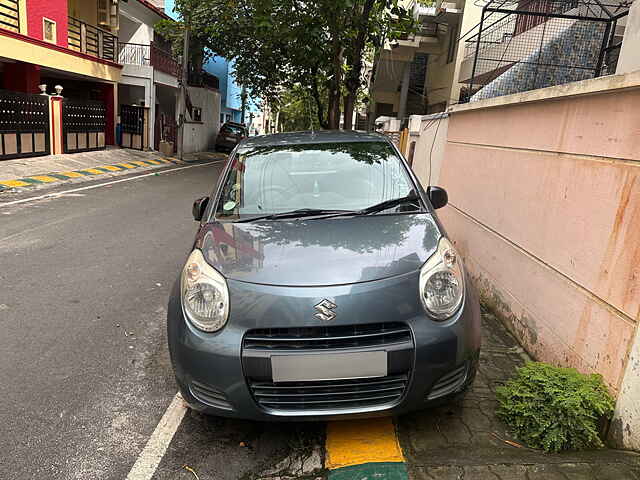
(314, 48)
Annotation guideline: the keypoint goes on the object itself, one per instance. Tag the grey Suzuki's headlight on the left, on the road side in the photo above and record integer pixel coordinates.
(205, 296)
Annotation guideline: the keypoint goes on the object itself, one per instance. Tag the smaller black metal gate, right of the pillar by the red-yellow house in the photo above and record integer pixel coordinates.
(83, 125)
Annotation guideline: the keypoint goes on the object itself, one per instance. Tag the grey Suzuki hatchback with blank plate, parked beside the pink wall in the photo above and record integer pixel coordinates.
(321, 285)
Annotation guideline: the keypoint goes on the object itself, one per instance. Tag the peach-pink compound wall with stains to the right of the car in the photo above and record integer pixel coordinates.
(544, 192)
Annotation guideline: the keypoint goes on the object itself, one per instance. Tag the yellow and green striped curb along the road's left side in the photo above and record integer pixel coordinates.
(87, 172)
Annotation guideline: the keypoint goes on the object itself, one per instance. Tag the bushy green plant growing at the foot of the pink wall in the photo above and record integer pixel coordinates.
(554, 408)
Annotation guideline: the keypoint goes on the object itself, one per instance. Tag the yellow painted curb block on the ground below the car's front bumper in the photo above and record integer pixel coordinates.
(354, 442)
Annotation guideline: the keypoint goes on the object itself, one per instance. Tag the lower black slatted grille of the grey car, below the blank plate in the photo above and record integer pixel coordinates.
(330, 394)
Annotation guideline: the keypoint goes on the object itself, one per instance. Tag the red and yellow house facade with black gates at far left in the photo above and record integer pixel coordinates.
(66, 43)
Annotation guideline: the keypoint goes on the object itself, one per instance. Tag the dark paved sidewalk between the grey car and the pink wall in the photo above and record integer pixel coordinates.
(467, 441)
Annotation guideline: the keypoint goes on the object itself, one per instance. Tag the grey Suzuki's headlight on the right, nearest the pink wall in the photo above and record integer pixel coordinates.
(442, 282)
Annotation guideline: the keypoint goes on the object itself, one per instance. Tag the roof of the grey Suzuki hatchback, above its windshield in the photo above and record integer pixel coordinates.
(311, 137)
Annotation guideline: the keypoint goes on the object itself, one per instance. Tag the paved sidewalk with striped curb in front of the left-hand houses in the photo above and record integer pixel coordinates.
(39, 172)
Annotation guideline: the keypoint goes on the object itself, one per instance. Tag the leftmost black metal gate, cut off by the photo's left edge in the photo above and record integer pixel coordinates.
(24, 125)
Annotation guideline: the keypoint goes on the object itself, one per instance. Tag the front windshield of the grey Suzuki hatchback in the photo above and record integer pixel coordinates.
(327, 176)
